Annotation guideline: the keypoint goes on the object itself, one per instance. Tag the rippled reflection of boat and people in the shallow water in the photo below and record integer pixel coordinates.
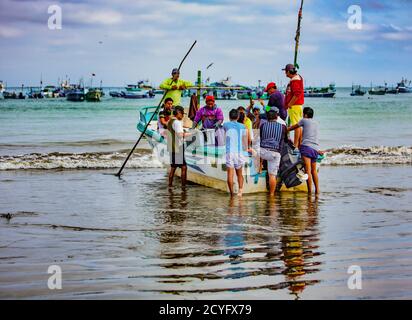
(254, 247)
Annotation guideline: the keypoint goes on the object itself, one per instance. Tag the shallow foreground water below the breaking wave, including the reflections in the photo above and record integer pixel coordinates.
(134, 238)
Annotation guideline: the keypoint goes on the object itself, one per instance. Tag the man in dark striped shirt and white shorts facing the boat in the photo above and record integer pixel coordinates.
(272, 137)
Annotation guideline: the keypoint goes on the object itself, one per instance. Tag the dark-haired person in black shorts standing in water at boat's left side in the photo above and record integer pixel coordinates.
(175, 145)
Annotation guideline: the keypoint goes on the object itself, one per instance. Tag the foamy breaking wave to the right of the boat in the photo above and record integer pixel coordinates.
(350, 155)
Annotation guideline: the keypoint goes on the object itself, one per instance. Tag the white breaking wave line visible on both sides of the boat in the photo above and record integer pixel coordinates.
(345, 155)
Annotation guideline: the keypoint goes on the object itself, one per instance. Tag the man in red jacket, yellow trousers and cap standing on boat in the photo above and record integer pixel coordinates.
(294, 100)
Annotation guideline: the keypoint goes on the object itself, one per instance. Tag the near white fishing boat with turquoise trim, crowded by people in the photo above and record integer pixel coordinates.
(206, 162)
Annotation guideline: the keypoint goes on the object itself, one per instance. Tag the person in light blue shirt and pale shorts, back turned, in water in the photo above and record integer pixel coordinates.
(236, 146)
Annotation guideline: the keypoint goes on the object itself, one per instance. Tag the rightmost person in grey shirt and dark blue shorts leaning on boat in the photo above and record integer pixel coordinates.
(309, 149)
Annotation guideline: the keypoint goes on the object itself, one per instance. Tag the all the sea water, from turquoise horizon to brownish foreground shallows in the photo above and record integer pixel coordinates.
(134, 238)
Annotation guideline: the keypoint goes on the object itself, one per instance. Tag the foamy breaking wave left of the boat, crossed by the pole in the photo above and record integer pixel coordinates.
(95, 160)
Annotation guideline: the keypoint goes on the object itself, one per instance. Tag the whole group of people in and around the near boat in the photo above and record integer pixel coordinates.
(257, 130)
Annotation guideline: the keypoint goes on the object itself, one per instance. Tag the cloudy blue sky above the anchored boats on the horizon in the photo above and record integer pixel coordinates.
(122, 42)
